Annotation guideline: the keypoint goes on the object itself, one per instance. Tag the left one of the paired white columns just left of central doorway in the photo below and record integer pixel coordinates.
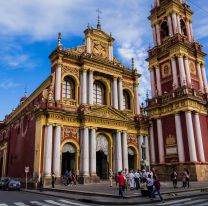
(85, 152)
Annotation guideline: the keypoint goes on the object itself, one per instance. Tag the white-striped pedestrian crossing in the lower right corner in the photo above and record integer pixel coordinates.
(187, 201)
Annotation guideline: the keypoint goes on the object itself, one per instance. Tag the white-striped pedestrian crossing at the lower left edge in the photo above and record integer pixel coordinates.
(60, 202)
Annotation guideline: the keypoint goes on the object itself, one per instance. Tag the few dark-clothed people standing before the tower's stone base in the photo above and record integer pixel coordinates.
(185, 178)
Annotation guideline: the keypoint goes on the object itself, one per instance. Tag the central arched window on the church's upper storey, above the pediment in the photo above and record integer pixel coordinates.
(98, 93)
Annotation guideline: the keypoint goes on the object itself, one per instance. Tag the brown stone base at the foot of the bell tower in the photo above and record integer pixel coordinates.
(198, 171)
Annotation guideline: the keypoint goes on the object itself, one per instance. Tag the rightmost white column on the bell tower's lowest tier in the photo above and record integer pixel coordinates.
(199, 138)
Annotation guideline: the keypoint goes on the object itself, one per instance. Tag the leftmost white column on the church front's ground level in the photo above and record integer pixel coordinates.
(48, 151)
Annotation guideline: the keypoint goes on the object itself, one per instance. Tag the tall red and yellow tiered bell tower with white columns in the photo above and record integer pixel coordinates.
(178, 106)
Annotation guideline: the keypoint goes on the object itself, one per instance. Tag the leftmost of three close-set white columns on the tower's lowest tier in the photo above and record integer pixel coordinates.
(179, 136)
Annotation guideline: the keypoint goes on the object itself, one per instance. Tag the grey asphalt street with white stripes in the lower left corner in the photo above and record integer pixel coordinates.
(12, 198)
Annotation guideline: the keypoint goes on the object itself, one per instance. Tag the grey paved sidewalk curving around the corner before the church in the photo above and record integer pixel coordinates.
(102, 194)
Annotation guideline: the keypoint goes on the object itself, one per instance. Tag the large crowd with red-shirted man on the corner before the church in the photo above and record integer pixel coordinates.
(146, 181)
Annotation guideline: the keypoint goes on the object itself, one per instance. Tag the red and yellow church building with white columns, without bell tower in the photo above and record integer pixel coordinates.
(85, 117)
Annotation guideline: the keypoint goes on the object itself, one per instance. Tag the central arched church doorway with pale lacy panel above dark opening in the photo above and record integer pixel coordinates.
(102, 156)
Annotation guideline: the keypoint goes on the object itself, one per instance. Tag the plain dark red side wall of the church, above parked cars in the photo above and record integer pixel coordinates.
(21, 147)
